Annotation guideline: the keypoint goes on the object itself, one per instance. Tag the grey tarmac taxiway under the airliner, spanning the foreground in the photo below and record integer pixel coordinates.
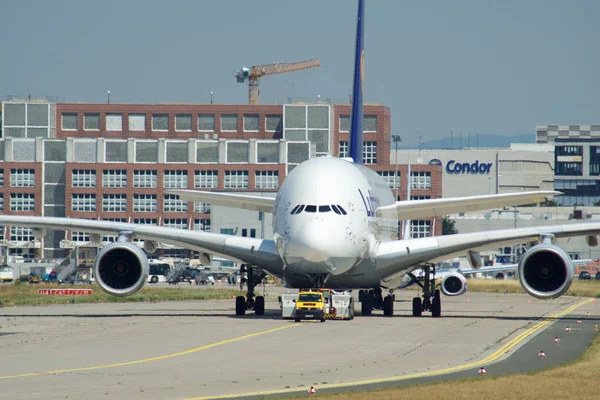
(199, 349)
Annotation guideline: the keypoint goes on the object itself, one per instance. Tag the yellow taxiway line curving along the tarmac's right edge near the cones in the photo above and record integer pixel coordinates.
(487, 360)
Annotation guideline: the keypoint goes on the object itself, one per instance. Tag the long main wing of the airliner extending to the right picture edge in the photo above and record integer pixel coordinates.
(394, 258)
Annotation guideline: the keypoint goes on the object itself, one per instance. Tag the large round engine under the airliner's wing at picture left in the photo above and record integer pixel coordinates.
(121, 269)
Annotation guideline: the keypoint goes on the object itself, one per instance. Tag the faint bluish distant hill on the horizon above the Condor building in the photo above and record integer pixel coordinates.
(485, 141)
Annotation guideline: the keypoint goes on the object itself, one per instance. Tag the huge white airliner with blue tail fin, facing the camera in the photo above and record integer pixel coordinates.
(335, 225)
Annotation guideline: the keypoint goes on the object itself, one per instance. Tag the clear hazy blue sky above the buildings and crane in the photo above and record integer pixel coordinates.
(479, 67)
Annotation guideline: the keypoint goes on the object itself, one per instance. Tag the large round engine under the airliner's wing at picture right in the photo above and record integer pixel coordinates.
(546, 271)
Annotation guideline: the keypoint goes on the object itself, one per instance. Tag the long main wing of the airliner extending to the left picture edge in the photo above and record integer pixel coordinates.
(260, 252)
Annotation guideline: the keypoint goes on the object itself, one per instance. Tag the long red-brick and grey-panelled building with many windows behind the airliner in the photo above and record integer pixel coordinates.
(115, 162)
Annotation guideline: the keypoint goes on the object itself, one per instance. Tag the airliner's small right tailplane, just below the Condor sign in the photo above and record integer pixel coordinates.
(416, 209)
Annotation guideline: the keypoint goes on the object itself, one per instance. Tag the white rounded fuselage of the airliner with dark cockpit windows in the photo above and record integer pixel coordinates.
(324, 227)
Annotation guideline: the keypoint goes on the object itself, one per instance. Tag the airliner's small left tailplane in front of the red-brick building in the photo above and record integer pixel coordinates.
(253, 203)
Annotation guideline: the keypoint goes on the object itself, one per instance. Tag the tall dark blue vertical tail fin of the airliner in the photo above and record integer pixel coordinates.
(356, 118)
